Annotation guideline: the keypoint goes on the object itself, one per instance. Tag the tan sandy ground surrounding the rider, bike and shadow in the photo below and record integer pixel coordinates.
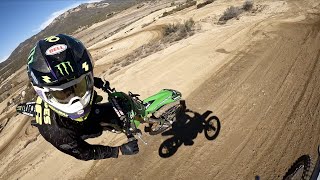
(256, 77)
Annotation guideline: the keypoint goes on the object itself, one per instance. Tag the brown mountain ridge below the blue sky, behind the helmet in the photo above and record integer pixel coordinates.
(82, 16)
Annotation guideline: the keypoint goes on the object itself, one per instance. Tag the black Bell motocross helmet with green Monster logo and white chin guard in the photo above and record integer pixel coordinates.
(61, 72)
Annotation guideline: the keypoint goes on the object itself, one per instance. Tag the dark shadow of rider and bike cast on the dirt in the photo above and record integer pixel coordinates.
(187, 127)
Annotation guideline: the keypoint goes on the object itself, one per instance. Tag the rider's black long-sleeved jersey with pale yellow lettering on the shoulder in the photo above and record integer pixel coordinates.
(68, 135)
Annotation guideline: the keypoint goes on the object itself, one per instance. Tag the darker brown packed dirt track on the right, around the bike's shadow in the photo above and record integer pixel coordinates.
(267, 100)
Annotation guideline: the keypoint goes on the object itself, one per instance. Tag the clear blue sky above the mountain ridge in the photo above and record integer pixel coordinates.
(21, 19)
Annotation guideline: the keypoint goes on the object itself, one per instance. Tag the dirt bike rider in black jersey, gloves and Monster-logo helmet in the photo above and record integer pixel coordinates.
(61, 71)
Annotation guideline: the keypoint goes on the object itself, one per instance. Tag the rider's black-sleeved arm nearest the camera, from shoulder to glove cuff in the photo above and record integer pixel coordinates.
(67, 142)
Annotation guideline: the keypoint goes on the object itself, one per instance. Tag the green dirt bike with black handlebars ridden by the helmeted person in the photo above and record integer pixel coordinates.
(158, 112)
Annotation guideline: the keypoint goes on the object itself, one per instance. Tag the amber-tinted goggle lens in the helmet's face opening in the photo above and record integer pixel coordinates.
(77, 90)
